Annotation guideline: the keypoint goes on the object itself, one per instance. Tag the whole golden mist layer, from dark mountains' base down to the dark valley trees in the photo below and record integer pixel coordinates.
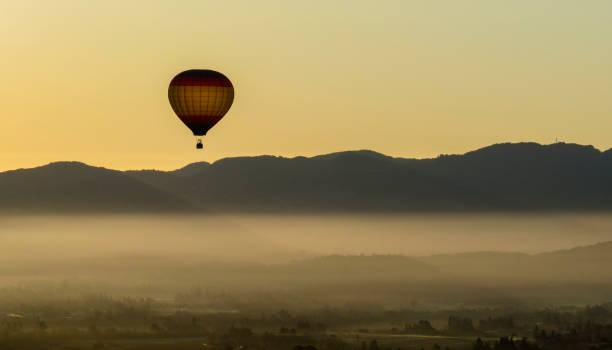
(335, 259)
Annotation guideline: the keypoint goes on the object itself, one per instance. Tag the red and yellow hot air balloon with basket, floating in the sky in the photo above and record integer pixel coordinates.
(200, 98)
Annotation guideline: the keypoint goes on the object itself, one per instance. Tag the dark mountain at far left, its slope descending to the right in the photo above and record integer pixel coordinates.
(76, 187)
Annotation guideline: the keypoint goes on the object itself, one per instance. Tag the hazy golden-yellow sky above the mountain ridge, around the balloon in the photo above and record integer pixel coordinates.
(87, 80)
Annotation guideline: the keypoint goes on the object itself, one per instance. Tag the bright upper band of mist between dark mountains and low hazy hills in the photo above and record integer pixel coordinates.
(272, 238)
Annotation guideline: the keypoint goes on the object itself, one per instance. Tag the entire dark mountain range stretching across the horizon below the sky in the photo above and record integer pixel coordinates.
(519, 176)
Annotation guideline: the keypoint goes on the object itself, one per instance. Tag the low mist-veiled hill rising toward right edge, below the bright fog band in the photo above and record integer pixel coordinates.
(588, 264)
